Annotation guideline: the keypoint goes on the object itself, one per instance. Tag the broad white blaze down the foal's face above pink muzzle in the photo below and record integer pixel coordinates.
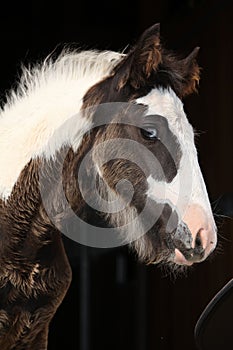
(188, 186)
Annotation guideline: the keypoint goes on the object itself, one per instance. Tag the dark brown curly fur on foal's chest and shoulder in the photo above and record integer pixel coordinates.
(34, 271)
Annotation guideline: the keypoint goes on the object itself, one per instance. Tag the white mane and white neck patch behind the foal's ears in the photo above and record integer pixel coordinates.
(47, 96)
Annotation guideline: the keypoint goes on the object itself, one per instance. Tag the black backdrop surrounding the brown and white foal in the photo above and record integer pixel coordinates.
(114, 302)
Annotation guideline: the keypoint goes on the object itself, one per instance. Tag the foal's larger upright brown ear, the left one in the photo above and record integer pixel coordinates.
(141, 61)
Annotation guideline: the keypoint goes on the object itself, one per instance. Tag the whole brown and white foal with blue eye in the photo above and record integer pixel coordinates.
(95, 145)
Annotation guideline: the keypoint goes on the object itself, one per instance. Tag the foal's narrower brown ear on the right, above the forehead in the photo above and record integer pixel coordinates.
(190, 73)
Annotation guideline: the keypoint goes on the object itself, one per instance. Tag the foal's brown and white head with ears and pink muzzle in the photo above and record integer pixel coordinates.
(142, 157)
